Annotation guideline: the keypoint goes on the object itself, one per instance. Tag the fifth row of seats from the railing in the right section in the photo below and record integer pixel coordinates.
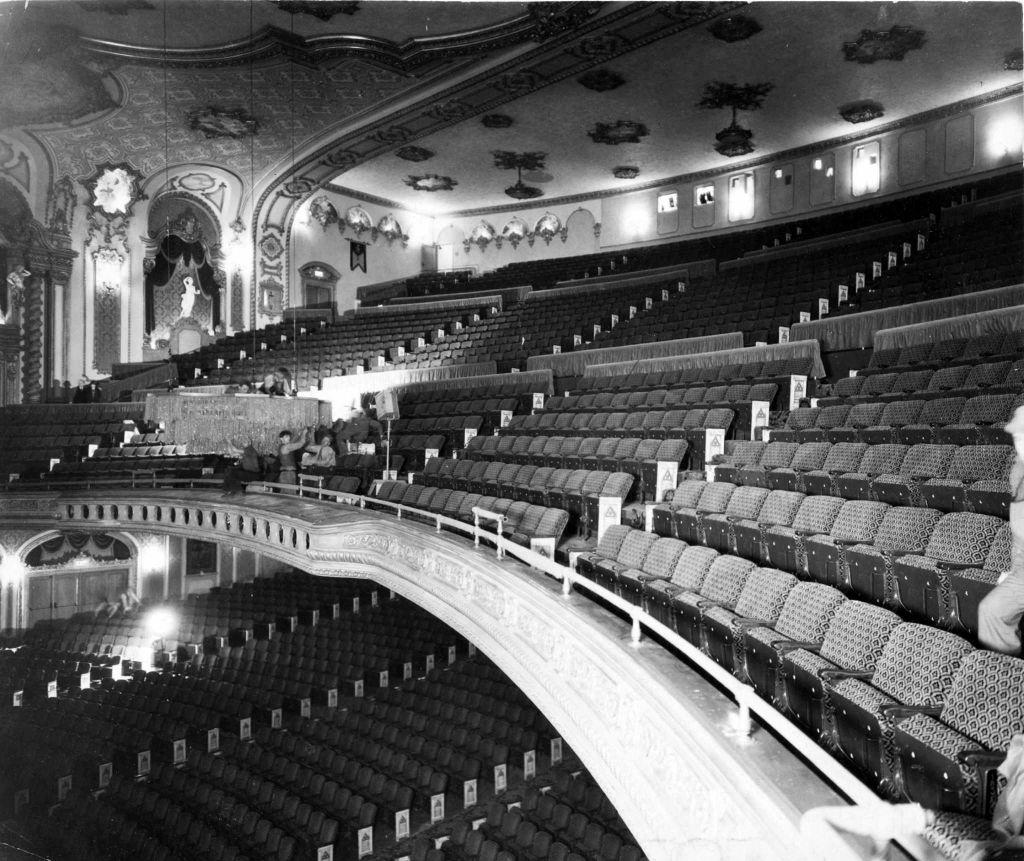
(947, 381)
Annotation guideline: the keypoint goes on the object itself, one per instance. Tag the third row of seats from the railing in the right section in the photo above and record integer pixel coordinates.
(943, 477)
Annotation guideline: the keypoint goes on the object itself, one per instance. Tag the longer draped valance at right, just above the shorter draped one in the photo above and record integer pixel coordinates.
(858, 331)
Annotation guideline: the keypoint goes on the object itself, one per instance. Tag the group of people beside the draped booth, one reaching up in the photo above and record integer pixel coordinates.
(313, 451)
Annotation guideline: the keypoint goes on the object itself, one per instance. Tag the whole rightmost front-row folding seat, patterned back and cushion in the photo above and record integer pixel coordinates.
(949, 761)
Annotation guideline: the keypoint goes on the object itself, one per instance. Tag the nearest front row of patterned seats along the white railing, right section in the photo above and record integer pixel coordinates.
(854, 674)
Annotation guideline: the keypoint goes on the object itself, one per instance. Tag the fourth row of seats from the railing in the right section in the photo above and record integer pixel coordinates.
(957, 420)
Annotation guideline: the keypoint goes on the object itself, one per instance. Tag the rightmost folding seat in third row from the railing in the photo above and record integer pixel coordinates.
(980, 471)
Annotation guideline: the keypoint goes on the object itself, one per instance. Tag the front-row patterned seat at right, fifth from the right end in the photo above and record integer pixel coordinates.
(759, 604)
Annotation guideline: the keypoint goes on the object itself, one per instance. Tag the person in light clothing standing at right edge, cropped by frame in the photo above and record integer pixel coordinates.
(1001, 612)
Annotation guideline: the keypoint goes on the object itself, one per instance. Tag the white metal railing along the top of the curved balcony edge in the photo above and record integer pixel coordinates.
(748, 701)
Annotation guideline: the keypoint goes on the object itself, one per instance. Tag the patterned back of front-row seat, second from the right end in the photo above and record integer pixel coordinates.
(919, 663)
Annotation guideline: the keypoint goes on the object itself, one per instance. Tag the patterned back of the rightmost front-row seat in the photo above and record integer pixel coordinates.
(987, 701)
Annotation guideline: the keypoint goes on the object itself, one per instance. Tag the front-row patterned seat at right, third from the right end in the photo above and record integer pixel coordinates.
(854, 643)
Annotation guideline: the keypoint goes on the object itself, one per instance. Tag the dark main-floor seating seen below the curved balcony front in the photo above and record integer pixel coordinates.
(286, 717)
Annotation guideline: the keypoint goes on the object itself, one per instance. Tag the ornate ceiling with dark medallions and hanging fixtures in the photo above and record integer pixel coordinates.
(381, 94)
